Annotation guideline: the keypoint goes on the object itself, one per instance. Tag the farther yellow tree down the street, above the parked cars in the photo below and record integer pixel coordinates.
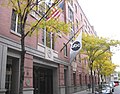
(104, 66)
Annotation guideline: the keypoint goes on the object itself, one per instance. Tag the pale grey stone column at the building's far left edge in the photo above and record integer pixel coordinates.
(3, 60)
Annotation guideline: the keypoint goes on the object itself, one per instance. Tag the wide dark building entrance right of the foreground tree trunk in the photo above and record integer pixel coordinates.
(42, 80)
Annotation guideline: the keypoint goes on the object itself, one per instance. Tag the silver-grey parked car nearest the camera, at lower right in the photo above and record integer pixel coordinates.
(105, 89)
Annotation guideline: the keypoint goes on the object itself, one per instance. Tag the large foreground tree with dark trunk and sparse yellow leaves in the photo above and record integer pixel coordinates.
(24, 8)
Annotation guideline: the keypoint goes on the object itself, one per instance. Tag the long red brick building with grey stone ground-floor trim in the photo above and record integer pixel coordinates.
(47, 70)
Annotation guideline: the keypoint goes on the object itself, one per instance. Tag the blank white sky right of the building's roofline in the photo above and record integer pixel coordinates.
(104, 15)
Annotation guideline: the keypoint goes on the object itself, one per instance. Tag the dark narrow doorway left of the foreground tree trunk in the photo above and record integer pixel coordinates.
(12, 75)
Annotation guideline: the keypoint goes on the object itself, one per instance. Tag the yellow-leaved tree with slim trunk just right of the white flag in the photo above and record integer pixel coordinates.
(94, 47)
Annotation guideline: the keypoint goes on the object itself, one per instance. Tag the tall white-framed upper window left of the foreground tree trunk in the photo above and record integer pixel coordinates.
(15, 23)
